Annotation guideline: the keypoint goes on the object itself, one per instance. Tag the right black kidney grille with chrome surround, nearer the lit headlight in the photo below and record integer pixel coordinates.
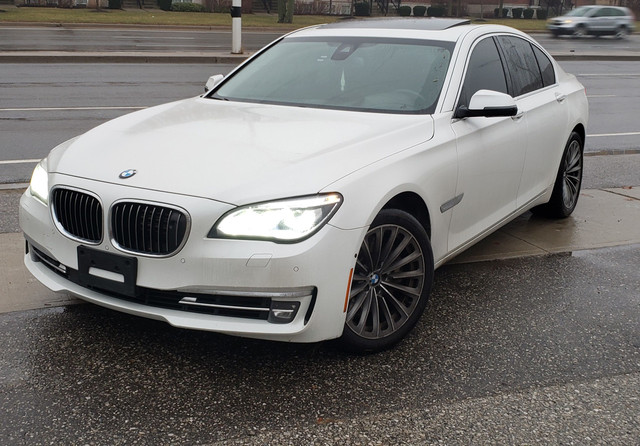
(148, 229)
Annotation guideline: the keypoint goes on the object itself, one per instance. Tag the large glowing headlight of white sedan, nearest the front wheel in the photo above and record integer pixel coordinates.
(283, 221)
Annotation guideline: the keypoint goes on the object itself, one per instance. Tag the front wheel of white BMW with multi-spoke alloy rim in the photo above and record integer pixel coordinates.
(391, 283)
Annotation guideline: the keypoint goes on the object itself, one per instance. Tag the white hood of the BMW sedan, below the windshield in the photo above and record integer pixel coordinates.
(237, 152)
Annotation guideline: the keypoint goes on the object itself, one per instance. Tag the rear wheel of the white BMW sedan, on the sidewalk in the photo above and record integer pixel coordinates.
(566, 189)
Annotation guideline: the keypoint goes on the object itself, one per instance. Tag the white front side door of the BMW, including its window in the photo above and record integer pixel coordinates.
(491, 152)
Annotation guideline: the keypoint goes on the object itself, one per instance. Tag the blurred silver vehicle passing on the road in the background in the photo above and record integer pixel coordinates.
(594, 20)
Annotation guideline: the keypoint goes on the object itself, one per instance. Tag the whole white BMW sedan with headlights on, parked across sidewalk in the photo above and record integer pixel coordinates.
(311, 193)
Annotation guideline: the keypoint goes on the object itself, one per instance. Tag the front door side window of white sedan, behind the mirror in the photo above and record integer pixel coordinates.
(484, 72)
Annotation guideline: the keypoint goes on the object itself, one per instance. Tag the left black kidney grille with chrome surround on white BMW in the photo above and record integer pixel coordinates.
(78, 214)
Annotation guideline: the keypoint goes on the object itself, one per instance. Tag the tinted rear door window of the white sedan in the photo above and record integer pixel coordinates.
(523, 67)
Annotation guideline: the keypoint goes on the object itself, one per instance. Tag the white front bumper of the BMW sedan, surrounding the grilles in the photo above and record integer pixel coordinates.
(286, 292)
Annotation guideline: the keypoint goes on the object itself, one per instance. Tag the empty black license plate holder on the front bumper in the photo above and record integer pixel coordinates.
(107, 272)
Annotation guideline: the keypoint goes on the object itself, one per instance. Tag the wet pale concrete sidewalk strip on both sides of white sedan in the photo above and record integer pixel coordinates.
(603, 218)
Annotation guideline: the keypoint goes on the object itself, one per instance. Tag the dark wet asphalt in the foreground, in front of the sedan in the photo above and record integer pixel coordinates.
(492, 342)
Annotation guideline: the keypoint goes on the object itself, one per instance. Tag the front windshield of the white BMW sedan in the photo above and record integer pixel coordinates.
(365, 74)
